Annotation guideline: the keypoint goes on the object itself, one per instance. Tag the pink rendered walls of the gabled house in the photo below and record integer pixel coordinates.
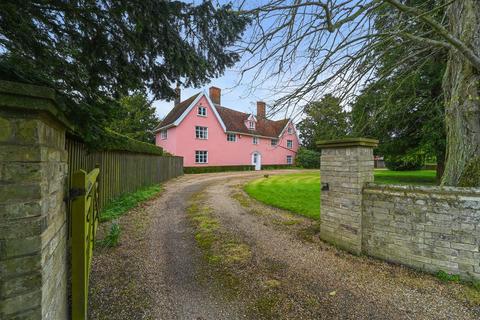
(181, 141)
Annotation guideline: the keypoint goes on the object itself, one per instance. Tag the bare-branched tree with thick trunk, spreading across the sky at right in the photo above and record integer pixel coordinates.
(315, 47)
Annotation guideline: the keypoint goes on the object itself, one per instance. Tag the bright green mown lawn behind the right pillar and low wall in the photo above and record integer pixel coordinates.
(300, 192)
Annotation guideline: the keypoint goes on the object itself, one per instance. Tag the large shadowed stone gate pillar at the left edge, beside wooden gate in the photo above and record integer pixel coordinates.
(33, 229)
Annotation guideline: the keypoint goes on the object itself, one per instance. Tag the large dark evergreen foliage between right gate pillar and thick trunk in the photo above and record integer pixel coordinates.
(404, 110)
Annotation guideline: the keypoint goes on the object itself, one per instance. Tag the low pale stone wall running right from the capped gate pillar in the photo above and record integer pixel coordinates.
(428, 228)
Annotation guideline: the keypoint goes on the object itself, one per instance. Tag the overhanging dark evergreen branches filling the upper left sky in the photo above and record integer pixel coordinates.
(95, 52)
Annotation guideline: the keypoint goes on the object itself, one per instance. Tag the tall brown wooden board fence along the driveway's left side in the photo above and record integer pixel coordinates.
(121, 171)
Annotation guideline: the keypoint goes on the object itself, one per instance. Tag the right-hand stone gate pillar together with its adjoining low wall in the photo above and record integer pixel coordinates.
(428, 228)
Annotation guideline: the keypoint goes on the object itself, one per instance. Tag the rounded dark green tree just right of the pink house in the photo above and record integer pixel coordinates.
(324, 120)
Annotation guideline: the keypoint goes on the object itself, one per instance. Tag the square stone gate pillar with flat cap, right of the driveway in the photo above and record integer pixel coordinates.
(346, 165)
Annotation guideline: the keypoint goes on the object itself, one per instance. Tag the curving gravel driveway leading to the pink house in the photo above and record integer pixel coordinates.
(159, 272)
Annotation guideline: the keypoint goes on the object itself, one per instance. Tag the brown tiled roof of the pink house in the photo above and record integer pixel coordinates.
(233, 120)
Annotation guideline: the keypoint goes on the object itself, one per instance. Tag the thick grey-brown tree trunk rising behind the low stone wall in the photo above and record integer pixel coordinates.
(461, 85)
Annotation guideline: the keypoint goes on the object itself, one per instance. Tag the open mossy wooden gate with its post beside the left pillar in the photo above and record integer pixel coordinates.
(84, 219)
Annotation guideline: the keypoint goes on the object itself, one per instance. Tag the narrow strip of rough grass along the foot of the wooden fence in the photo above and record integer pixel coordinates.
(125, 202)
